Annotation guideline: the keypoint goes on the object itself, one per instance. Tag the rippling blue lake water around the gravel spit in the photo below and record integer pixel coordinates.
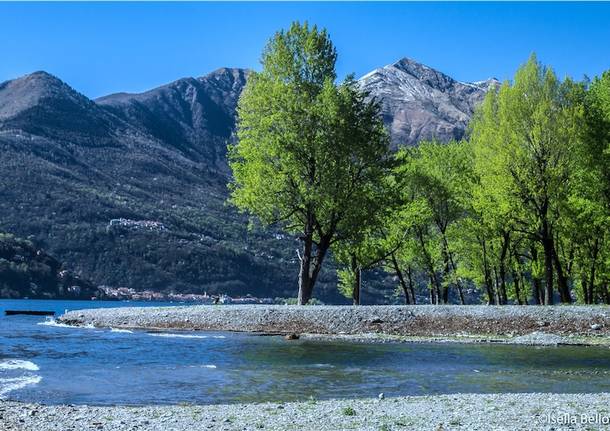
(52, 364)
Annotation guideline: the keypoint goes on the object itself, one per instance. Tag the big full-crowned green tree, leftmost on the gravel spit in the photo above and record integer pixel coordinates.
(310, 153)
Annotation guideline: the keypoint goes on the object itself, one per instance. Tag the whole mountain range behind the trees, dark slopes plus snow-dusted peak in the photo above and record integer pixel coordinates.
(130, 189)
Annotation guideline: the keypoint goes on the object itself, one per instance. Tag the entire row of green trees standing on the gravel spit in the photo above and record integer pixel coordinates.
(519, 210)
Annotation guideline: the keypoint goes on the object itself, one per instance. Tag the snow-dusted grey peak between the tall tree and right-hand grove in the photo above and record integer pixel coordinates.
(420, 103)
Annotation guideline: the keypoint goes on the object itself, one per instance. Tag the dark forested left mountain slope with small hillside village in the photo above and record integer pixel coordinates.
(125, 207)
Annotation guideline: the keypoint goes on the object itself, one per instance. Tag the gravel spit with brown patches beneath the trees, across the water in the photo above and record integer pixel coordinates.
(475, 323)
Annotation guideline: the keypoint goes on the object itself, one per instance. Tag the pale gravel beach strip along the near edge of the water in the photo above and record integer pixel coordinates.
(443, 412)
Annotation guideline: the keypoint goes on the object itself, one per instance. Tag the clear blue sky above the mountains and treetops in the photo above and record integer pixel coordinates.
(102, 48)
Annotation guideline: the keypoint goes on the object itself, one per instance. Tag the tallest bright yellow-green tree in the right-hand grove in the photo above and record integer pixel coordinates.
(524, 138)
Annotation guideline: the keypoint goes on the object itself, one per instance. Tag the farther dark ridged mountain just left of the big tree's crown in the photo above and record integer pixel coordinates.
(195, 116)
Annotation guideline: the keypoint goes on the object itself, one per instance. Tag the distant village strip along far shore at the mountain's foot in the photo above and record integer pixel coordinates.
(129, 294)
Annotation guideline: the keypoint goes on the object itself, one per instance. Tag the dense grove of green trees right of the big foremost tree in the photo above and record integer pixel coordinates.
(519, 208)
